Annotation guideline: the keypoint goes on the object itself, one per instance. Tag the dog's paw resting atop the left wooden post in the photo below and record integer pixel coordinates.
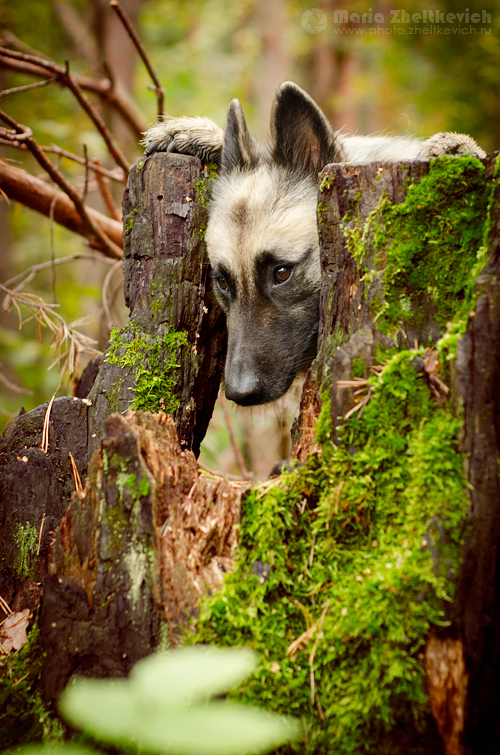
(199, 137)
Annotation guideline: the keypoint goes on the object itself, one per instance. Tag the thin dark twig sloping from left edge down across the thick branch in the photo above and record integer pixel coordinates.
(25, 133)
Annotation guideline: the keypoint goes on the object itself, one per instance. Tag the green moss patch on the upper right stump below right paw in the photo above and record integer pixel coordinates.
(421, 257)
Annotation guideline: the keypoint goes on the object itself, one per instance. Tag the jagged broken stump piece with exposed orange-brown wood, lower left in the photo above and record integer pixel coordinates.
(134, 551)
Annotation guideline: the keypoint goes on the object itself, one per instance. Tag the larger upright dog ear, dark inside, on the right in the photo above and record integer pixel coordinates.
(302, 137)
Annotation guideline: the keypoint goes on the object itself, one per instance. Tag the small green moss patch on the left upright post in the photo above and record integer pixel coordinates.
(154, 361)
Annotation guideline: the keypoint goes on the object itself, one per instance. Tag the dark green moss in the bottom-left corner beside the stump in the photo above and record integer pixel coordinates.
(23, 717)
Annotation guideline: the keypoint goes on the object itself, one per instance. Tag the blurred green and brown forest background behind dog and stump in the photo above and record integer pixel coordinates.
(368, 77)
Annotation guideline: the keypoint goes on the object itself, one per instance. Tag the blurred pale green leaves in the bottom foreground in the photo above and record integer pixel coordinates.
(165, 707)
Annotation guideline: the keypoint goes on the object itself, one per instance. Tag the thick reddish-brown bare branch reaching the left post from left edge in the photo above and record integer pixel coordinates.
(32, 192)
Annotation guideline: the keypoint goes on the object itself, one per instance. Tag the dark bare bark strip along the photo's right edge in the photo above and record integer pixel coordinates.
(476, 606)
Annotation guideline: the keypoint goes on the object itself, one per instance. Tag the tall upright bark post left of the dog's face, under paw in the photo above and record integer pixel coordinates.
(167, 289)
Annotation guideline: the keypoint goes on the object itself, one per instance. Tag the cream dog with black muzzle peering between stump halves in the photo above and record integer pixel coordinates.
(262, 237)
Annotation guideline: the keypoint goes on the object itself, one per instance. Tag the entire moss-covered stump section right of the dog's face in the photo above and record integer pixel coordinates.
(361, 548)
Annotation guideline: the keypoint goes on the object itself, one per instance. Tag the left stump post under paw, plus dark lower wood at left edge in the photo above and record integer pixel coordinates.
(169, 357)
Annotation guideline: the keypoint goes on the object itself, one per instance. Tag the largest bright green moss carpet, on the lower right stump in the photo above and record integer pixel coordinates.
(359, 543)
